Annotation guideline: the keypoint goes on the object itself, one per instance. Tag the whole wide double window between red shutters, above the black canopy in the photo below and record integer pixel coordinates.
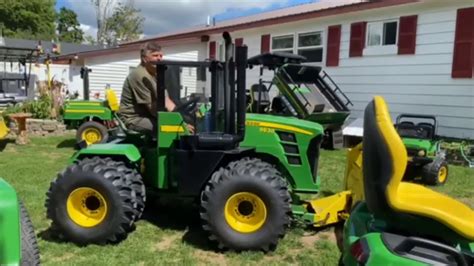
(309, 45)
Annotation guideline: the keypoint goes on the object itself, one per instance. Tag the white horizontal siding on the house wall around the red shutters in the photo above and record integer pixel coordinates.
(419, 83)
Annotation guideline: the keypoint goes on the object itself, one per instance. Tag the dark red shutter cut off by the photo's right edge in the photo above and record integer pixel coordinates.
(463, 56)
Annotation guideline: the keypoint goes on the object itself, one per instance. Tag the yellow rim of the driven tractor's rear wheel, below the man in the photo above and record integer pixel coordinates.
(86, 207)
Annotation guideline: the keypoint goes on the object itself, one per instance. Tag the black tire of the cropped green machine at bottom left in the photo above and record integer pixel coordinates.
(29, 246)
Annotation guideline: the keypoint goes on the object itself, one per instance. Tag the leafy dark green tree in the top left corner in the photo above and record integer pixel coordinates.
(28, 19)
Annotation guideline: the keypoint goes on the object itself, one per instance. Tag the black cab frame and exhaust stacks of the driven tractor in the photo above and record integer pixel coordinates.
(223, 83)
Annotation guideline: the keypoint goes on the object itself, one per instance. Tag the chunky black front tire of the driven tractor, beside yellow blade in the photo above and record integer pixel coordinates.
(248, 176)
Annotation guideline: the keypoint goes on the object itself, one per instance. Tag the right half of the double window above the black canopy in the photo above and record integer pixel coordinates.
(310, 45)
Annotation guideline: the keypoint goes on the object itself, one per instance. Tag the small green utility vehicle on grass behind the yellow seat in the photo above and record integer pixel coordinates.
(425, 157)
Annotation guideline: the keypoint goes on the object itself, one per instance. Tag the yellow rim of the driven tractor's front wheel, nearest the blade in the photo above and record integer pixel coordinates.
(245, 212)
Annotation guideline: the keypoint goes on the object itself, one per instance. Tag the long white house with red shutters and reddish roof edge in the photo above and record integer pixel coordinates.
(418, 54)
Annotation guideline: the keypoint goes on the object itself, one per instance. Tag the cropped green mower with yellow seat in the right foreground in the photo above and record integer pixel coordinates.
(393, 222)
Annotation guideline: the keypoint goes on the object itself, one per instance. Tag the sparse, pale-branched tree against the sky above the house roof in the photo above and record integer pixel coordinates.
(125, 24)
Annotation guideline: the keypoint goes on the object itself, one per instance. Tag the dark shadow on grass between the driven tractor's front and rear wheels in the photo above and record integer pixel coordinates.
(179, 216)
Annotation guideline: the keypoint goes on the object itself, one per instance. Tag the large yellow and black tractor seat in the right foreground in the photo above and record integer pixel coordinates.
(384, 164)
